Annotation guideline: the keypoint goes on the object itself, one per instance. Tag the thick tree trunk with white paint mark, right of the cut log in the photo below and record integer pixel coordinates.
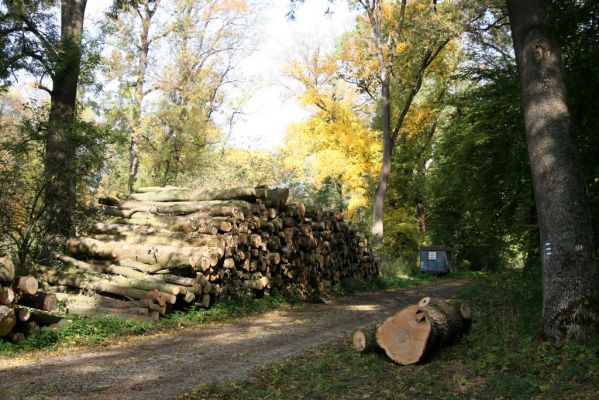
(570, 276)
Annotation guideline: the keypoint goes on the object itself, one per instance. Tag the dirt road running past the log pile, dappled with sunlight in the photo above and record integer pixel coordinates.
(164, 366)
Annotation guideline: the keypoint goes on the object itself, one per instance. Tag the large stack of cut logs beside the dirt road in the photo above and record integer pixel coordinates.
(165, 248)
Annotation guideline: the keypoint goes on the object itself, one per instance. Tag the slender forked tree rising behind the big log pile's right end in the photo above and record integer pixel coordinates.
(405, 40)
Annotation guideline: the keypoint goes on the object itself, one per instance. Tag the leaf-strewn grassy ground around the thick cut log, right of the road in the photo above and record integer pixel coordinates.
(501, 358)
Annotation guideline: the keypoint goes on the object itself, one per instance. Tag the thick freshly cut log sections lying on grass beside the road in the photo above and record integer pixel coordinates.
(413, 333)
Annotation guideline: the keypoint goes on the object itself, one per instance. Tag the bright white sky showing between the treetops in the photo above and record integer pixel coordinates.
(271, 107)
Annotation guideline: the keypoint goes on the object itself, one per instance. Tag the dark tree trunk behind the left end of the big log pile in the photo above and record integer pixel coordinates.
(60, 148)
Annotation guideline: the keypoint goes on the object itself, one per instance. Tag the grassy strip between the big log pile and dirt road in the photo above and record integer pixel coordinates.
(90, 332)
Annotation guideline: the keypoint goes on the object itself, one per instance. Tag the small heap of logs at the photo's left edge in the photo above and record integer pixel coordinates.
(23, 307)
